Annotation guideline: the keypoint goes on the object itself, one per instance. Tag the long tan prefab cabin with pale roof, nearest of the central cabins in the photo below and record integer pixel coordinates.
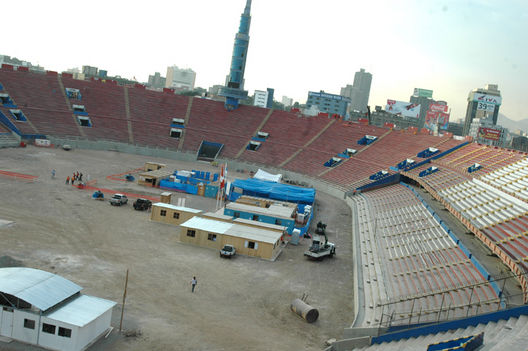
(247, 240)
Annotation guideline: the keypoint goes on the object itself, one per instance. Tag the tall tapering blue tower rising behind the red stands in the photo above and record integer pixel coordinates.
(234, 88)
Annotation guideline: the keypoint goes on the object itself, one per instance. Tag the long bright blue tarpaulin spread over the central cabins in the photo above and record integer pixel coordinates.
(272, 190)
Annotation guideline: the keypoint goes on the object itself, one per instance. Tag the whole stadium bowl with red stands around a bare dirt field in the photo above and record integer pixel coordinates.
(430, 230)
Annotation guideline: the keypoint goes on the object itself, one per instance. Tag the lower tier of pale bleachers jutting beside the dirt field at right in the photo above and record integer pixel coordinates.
(412, 262)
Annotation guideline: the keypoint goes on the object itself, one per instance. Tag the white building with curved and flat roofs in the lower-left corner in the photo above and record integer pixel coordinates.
(44, 309)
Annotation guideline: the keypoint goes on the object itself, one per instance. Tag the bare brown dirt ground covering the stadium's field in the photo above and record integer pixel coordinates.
(240, 304)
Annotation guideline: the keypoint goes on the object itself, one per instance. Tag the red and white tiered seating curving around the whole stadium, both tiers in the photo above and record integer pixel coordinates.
(409, 262)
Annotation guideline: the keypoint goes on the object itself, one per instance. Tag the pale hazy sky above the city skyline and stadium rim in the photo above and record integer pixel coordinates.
(448, 46)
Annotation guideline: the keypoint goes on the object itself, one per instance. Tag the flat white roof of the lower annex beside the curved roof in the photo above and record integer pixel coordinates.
(82, 310)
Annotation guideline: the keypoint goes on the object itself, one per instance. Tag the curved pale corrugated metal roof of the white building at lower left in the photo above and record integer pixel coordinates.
(39, 288)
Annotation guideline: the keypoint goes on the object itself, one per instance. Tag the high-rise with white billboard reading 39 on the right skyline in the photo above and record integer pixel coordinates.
(483, 103)
